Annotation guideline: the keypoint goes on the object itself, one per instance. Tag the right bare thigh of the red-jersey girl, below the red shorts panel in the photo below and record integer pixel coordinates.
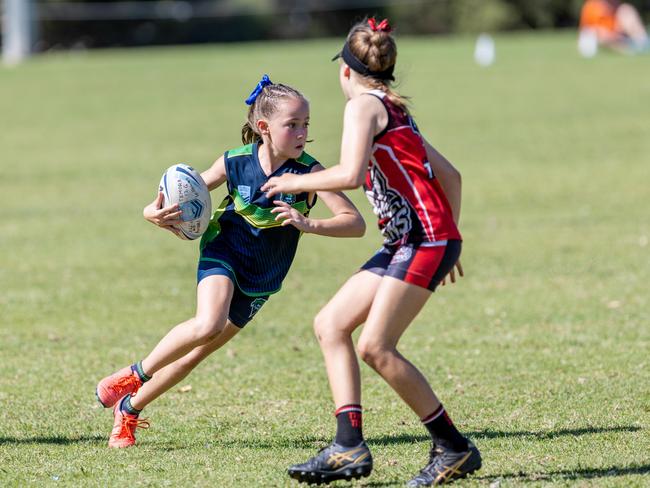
(394, 307)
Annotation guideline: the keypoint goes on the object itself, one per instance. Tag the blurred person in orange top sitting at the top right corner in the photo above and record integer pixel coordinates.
(615, 25)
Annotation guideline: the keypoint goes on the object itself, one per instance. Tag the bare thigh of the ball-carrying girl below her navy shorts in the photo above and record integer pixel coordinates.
(213, 297)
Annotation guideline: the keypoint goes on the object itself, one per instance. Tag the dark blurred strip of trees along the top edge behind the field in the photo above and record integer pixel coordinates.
(235, 20)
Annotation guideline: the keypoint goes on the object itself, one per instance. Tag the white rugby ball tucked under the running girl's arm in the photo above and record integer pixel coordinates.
(182, 184)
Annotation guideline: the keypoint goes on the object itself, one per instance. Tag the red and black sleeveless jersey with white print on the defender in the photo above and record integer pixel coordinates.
(405, 194)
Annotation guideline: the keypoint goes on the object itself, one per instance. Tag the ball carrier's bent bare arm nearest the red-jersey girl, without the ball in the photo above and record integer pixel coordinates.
(346, 221)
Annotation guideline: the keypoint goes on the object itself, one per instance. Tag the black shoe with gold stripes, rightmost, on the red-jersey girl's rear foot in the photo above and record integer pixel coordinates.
(446, 465)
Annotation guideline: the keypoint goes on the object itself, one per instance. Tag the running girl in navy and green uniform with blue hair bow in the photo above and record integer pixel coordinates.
(245, 253)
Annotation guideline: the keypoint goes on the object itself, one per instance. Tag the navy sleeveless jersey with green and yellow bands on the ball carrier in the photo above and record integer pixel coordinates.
(243, 234)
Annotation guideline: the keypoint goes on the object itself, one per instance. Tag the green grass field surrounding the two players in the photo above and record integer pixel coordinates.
(541, 353)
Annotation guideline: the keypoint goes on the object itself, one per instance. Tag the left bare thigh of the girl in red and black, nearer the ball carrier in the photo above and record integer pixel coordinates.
(349, 307)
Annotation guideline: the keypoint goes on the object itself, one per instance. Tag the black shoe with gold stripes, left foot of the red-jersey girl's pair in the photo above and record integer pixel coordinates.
(334, 462)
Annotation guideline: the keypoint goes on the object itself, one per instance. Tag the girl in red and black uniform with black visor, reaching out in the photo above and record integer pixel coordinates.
(415, 193)
